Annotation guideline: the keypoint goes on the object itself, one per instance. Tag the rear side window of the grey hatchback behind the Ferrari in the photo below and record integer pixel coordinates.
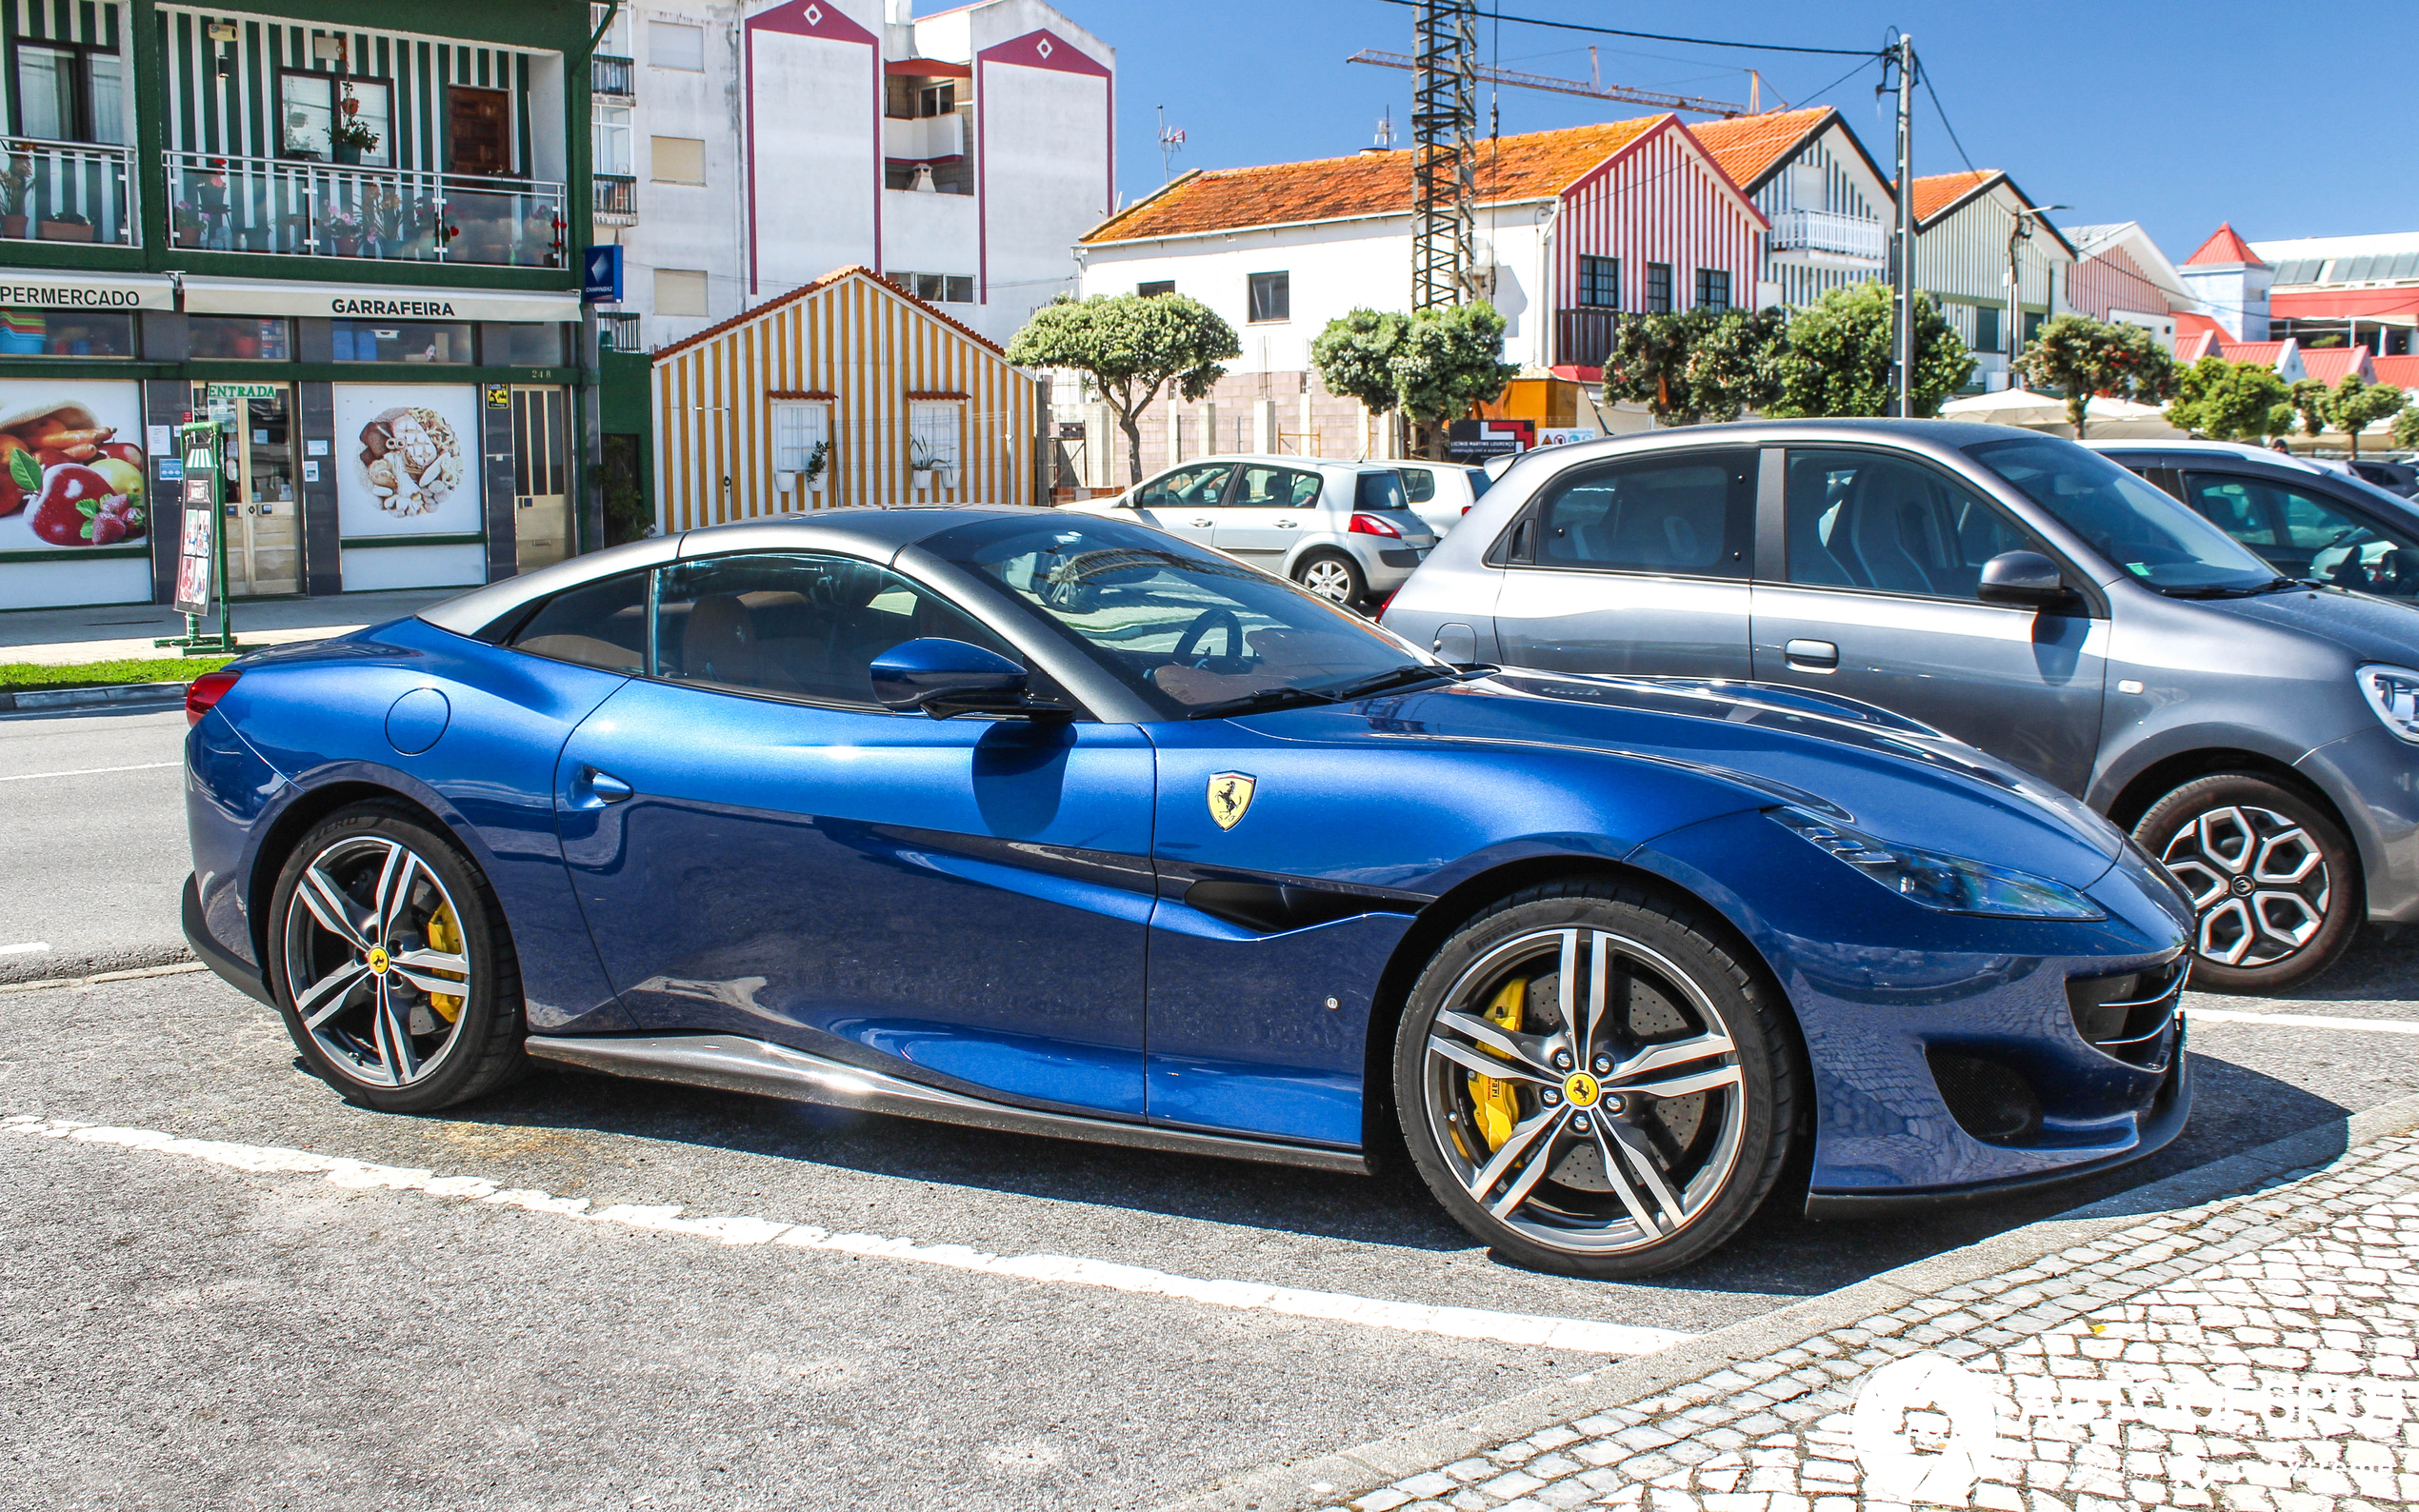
(1690, 514)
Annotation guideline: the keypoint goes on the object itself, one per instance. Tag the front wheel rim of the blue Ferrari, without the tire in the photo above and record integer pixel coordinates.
(1586, 1092)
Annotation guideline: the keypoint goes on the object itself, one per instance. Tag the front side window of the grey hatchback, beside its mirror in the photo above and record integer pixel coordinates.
(1890, 524)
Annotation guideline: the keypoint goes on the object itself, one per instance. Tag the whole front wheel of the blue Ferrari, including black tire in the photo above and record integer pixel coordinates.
(1714, 1150)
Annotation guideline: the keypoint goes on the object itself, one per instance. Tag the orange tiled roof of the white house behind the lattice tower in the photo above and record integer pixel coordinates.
(1513, 168)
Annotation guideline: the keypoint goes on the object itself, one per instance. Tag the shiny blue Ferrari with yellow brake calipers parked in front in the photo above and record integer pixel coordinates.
(1063, 826)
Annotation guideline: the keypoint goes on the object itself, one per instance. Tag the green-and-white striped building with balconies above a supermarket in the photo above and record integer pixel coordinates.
(357, 246)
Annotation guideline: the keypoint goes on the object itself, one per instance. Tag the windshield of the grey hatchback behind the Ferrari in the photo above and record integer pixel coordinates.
(2140, 529)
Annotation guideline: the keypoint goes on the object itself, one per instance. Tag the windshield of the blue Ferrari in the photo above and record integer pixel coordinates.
(1189, 630)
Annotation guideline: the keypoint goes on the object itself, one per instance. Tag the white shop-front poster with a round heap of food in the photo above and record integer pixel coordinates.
(408, 458)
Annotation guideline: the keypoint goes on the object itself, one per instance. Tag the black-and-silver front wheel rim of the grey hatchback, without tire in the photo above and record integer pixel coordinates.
(2256, 879)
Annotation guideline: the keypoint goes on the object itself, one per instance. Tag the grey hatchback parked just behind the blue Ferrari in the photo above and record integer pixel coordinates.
(2256, 732)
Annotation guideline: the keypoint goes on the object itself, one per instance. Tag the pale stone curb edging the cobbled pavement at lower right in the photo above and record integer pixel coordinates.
(1327, 1479)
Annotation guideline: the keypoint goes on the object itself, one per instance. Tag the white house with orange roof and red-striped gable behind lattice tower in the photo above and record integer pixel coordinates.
(1574, 229)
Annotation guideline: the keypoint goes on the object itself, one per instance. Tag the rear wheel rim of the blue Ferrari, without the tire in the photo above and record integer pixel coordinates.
(376, 962)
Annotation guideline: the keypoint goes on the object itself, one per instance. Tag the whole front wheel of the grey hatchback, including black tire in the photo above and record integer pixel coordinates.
(2273, 879)
